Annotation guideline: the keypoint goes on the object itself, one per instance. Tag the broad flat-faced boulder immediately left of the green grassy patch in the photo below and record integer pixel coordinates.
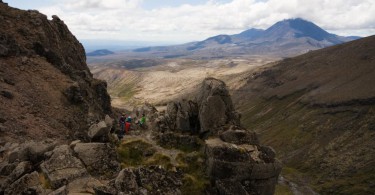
(99, 158)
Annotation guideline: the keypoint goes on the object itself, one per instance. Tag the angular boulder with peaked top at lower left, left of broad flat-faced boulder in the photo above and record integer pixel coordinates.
(62, 167)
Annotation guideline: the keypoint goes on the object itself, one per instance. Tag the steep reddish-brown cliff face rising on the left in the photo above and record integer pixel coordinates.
(47, 90)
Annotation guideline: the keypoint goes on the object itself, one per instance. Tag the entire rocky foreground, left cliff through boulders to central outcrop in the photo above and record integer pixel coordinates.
(57, 136)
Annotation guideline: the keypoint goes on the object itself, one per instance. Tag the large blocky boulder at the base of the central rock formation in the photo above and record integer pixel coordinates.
(228, 162)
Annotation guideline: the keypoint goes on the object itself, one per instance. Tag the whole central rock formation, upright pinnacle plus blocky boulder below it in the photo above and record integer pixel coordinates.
(236, 163)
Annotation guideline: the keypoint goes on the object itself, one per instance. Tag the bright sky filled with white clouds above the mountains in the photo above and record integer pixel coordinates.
(180, 21)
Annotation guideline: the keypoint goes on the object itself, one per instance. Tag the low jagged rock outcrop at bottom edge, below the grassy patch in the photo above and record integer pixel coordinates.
(144, 180)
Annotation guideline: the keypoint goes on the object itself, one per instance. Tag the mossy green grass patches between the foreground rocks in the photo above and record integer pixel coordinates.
(139, 153)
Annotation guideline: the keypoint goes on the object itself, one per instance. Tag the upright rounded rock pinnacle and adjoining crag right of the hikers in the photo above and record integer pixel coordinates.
(210, 112)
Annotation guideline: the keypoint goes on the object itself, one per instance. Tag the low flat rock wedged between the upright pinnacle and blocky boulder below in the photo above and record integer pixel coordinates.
(240, 137)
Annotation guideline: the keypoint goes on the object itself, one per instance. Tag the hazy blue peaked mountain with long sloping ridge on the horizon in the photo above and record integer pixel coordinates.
(283, 39)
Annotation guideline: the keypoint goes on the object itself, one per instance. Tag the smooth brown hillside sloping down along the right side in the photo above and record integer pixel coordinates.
(318, 111)
